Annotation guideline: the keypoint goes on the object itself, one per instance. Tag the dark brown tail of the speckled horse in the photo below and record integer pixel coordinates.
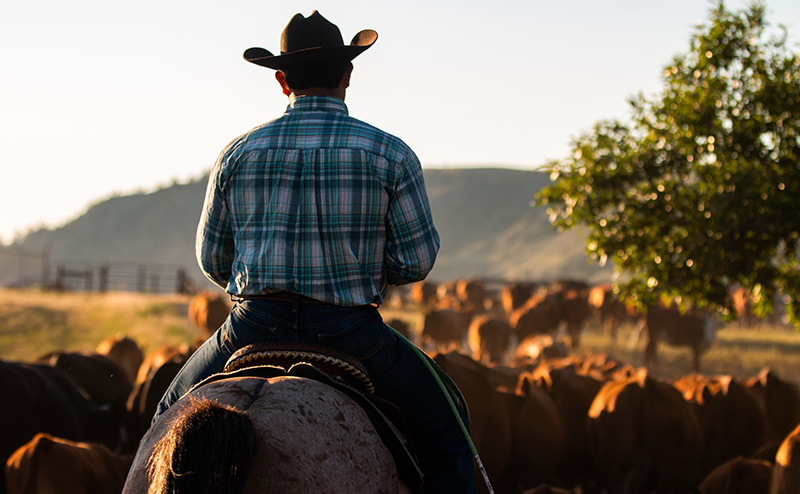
(209, 450)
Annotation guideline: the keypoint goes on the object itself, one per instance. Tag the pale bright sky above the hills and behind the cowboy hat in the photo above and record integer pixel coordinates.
(101, 98)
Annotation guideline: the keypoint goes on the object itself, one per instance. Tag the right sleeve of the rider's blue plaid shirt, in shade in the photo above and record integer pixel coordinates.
(412, 241)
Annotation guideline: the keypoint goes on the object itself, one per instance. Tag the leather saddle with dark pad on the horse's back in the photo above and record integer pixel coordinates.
(339, 370)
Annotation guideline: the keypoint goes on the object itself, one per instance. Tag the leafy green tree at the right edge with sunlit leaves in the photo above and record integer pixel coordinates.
(700, 191)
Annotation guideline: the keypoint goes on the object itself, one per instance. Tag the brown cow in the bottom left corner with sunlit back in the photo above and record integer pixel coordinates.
(47, 464)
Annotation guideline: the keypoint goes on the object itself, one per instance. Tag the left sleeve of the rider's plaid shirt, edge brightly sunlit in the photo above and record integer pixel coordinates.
(214, 245)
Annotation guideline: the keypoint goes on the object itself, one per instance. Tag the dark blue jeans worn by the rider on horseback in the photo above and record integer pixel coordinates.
(396, 371)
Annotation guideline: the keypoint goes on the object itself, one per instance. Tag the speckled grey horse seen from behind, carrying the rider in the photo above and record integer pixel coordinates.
(240, 432)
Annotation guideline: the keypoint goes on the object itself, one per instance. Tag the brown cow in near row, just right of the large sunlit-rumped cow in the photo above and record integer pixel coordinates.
(732, 421)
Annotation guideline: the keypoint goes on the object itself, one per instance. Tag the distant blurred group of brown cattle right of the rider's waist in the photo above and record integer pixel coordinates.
(516, 319)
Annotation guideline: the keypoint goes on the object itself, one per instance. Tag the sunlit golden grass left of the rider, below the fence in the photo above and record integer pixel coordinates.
(33, 323)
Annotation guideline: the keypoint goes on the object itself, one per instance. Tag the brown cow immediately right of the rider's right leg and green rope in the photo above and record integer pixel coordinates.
(490, 426)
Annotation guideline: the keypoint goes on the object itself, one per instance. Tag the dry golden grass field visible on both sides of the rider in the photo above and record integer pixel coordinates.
(34, 323)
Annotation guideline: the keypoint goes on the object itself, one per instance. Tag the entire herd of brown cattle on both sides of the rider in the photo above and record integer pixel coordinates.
(539, 417)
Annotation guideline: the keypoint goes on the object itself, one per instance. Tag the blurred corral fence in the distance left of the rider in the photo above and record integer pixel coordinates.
(27, 268)
